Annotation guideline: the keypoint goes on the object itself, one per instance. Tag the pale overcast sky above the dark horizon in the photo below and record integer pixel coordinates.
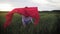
(41, 4)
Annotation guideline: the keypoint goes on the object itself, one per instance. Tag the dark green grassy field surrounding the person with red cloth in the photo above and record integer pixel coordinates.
(47, 25)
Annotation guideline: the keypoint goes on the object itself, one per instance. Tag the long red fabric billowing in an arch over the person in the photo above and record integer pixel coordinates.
(30, 11)
